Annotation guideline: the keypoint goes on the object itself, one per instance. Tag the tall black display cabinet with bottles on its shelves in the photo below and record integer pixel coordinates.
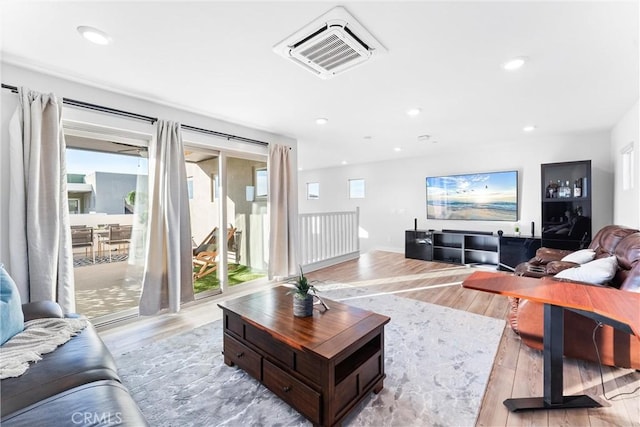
(566, 204)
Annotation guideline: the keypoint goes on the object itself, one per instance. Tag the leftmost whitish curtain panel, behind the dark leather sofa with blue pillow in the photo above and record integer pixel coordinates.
(41, 258)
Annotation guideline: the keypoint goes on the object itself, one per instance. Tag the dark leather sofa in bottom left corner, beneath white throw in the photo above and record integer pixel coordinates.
(76, 384)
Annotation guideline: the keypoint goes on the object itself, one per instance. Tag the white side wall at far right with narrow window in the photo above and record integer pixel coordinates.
(627, 202)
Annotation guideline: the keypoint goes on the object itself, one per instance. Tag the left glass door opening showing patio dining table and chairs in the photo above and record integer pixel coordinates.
(107, 186)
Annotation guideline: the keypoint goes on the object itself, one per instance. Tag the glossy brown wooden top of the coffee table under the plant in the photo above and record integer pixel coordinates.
(326, 333)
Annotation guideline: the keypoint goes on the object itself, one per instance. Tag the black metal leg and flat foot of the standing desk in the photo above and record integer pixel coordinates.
(552, 370)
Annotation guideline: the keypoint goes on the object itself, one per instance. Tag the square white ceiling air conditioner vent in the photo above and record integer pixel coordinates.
(331, 44)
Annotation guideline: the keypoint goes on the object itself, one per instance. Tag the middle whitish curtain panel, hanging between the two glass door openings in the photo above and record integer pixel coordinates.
(167, 280)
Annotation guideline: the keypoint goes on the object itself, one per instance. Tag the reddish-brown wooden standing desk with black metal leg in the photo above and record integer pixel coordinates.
(606, 305)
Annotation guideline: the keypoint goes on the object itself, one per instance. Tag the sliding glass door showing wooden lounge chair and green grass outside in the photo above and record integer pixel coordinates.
(228, 220)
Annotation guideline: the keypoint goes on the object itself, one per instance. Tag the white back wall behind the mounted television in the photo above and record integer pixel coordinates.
(396, 193)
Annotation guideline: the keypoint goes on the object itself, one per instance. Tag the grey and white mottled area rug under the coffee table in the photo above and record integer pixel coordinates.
(437, 362)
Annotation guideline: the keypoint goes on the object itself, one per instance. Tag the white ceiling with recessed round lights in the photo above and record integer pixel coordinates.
(444, 57)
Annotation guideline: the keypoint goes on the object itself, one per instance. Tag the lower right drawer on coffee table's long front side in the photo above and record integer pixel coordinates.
(297, 394)
